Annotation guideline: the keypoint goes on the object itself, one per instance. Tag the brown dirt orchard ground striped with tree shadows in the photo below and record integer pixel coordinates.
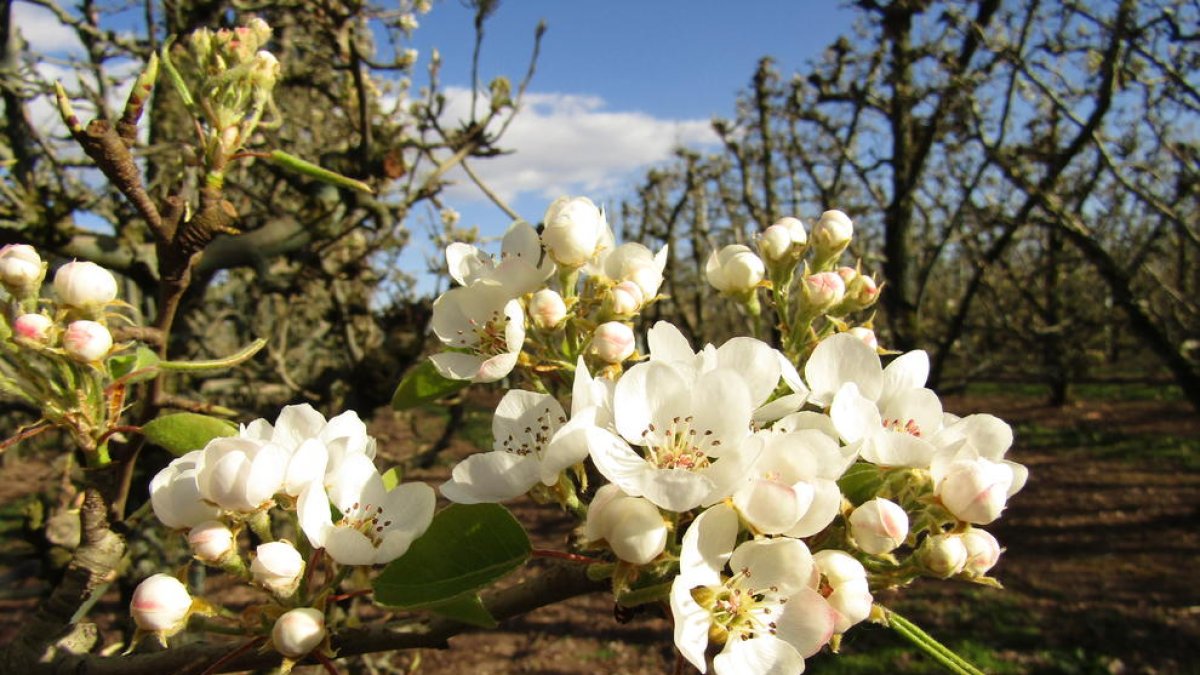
(1100, 570)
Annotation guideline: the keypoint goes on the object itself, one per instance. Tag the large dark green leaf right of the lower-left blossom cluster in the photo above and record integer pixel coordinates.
(466, 548)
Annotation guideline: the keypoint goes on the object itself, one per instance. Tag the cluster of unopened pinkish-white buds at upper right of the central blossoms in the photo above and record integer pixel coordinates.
(803, 278)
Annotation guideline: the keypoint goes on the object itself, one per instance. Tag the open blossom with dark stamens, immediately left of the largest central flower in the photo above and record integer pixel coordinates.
(533, 443)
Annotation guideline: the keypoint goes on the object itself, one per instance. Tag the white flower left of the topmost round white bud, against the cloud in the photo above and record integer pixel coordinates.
(521, 270)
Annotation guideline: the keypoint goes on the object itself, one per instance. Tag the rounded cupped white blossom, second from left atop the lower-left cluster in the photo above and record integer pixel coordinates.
(242, 475)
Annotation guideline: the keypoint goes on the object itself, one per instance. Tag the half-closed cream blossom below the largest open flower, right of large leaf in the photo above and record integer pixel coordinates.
(632, 527)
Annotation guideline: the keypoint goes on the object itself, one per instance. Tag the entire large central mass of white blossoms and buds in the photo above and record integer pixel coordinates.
(773, 489)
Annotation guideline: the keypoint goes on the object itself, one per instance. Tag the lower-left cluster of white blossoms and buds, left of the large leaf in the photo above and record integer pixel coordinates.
(223, 499)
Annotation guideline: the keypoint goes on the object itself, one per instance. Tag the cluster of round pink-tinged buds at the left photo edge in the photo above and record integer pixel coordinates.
(56, 350)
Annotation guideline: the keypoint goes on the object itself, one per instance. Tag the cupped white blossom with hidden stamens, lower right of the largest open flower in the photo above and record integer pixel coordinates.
(791, 488)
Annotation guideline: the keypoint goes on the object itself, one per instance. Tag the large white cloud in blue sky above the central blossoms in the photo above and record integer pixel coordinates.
(571, 145)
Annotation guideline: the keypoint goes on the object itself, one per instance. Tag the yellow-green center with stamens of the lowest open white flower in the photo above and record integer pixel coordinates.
(739, 610)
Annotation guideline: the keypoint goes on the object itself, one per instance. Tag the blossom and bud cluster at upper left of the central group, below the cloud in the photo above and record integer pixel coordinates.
(550, 300)
